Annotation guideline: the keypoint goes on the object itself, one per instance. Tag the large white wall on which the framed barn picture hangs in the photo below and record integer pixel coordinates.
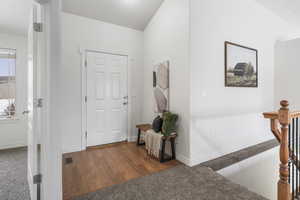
(238, 110)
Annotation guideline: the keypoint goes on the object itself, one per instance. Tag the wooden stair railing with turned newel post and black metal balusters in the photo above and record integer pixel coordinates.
(285, 127)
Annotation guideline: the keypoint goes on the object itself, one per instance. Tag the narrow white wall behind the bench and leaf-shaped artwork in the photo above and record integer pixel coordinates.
(167, 38)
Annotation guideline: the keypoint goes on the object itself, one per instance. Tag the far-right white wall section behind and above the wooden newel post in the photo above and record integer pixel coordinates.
(287, 73)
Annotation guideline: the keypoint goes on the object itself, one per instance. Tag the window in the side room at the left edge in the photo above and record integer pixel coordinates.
(7, 83)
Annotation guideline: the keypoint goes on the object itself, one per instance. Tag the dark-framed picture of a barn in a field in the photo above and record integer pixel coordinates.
(241, 66)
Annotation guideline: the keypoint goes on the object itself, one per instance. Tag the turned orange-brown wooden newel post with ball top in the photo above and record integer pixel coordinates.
(283, 183)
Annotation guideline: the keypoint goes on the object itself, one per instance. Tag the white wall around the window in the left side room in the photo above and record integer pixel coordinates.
(13, 133)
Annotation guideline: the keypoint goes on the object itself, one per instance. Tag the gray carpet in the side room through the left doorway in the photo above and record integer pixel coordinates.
(13, 175)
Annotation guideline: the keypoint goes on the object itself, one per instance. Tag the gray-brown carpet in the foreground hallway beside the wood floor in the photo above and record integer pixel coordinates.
(179, 183)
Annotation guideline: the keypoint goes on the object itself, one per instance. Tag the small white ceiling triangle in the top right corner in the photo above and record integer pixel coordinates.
(289, 10)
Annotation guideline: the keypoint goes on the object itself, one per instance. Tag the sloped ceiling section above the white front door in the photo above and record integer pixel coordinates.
(130, 13)
